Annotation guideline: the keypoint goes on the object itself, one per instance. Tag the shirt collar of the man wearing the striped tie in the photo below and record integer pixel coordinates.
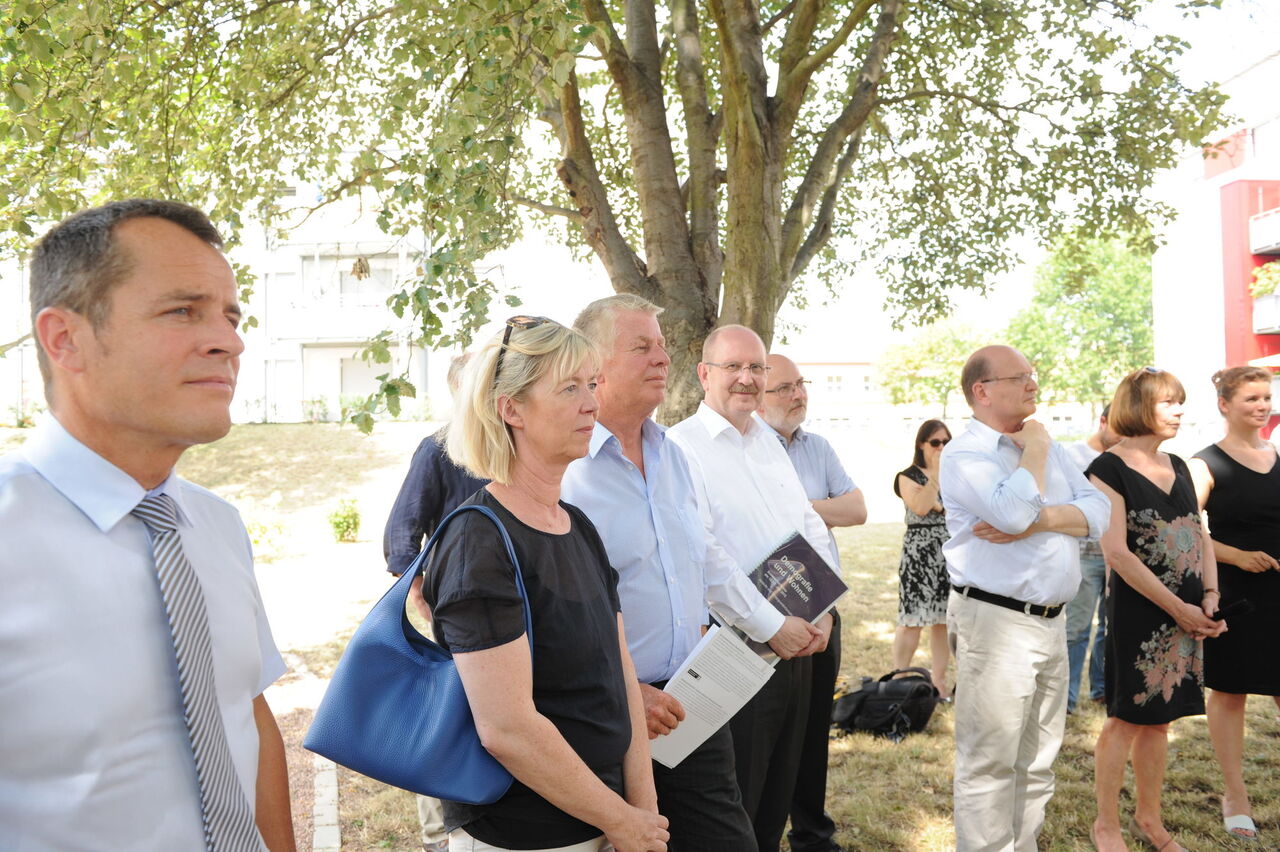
(99, 489)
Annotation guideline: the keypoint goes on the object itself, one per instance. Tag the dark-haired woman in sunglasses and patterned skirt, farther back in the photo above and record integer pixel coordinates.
(924, 587)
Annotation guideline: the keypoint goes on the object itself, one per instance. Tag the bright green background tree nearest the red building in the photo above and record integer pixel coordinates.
(1090, 322)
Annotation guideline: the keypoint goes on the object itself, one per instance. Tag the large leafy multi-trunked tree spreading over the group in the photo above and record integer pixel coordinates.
(710, 153)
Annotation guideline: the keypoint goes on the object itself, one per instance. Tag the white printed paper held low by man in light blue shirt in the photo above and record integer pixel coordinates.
(721, 675)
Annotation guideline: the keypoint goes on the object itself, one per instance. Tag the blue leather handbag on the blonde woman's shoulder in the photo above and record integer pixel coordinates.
(396, 711)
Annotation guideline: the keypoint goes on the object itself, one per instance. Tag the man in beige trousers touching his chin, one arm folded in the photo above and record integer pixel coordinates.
(1017, 509)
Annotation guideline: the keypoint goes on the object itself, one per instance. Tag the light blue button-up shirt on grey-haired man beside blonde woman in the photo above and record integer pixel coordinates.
(669, 567)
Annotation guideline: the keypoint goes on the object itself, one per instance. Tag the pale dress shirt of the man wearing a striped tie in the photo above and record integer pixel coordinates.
(94, 750)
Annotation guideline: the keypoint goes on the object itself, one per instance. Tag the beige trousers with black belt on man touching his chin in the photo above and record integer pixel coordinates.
(1011, 713)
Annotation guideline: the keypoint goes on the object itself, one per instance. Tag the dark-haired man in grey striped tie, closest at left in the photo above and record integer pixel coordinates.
(134, 645)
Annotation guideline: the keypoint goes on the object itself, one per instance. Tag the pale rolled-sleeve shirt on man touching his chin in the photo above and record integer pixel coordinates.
(981, 480)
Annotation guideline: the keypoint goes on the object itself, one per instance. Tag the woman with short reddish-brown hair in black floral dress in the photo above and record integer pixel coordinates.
(1162, 593)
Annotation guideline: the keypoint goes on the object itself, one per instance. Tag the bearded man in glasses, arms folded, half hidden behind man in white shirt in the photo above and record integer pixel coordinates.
(840, 503)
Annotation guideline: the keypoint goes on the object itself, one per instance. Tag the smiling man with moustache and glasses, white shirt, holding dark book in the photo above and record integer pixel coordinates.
(752, 500)
